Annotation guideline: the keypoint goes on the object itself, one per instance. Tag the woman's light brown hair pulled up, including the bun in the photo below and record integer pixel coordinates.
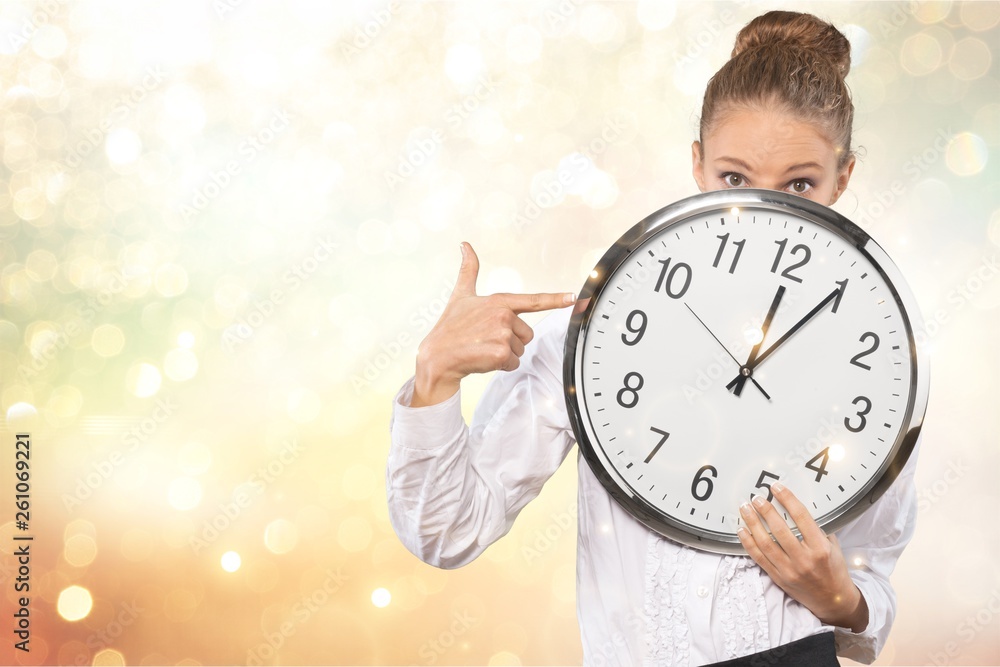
(791, 61)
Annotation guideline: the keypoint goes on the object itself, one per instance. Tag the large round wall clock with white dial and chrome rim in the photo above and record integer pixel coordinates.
(738, 338)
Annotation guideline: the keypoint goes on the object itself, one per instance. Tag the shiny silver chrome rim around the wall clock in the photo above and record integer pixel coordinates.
(680, 212)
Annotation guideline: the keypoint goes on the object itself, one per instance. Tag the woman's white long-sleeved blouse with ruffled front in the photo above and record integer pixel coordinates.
(455, 489)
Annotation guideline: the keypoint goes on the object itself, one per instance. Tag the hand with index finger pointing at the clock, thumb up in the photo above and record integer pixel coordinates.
(475, 334)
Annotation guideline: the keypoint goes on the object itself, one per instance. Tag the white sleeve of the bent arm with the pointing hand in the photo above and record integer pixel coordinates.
(455, 489)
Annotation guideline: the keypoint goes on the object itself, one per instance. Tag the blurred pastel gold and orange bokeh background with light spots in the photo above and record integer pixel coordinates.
(225, 225)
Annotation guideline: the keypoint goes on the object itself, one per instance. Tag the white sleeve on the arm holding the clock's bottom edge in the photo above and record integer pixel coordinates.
(872, 544)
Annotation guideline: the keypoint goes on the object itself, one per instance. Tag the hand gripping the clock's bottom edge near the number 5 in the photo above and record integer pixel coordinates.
(813, 570)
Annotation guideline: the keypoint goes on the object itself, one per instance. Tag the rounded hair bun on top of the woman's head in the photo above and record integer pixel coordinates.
(780, 28)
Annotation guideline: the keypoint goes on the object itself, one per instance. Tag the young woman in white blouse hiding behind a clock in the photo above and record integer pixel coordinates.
(778, 115)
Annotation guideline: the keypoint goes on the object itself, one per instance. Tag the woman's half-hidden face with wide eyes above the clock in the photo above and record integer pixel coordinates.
(769, 149)
